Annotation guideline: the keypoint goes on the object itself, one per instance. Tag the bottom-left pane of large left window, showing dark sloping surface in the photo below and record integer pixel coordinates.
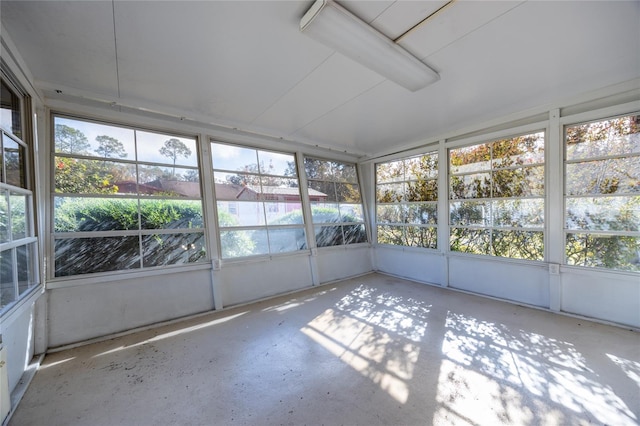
(75, 256)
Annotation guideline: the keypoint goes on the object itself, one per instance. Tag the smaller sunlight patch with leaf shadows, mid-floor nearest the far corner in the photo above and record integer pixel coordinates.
(376, 334)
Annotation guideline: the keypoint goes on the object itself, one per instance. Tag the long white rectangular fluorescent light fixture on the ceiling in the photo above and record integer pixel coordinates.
(334, 26)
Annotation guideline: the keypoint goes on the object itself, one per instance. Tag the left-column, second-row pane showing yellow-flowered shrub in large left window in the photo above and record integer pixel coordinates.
(78, 176)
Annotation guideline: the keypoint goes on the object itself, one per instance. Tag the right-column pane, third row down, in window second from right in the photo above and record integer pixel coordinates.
(527, 213)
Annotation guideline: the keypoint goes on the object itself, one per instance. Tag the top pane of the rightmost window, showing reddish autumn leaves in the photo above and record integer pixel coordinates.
(603, 138)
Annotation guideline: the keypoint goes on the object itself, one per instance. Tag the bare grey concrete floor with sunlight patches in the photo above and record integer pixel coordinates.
(367, 351)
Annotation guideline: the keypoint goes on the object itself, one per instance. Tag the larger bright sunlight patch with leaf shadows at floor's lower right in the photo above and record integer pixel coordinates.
(489, 365)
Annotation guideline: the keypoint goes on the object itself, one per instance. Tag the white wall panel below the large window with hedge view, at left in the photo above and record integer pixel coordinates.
(88, 310)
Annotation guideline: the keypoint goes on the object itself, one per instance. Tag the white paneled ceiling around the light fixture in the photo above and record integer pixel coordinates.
(245, 64)
